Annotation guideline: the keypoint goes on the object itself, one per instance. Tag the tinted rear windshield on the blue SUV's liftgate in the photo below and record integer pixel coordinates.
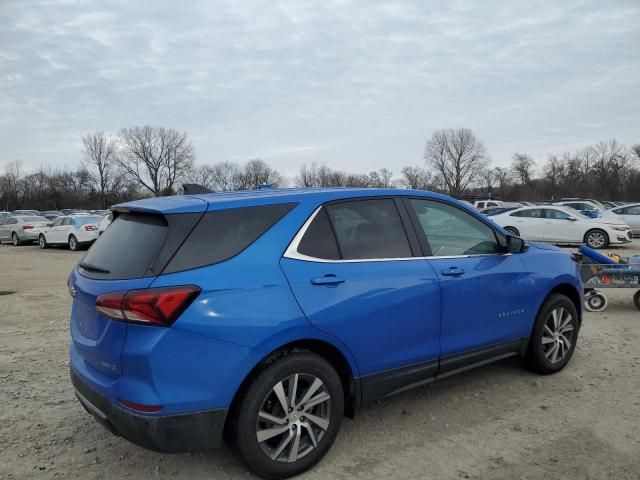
(128, 246)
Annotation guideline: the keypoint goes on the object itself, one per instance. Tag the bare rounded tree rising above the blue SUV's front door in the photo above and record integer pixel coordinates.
(457, 156)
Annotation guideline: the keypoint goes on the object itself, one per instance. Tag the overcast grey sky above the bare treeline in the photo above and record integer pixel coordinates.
(356, 85)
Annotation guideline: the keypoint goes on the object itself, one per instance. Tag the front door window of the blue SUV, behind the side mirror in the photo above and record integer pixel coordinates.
(452, 231)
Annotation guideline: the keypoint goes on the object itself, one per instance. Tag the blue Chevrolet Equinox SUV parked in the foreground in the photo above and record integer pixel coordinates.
(264, 317)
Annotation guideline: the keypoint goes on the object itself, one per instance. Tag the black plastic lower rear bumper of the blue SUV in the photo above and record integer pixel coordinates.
(163, 433)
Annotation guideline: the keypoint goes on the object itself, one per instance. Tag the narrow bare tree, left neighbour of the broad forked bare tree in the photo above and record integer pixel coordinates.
(100, 158)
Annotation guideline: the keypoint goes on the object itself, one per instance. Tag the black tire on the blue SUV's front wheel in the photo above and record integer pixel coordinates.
(540, 356)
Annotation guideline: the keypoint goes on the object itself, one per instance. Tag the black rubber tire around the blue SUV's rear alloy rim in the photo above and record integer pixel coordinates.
(258, 395)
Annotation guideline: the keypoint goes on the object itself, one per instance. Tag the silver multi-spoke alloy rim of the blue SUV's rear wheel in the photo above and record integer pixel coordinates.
(293, 418)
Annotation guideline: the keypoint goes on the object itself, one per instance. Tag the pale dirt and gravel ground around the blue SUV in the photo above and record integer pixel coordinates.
(496, 422)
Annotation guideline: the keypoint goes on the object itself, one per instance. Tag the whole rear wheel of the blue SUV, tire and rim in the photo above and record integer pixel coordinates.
(289, 416)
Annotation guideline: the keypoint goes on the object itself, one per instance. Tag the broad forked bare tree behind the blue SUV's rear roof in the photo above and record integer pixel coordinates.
(156, 158)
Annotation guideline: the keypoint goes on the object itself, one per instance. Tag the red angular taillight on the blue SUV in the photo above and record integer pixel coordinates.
(152, 306)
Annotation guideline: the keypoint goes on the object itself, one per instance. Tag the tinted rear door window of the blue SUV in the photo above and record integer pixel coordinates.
(369, 229)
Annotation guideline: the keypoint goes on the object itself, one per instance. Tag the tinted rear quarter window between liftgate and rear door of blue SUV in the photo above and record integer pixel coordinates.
(223, 234)
